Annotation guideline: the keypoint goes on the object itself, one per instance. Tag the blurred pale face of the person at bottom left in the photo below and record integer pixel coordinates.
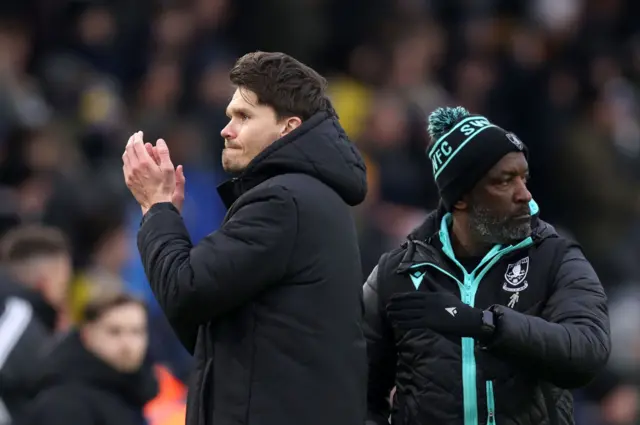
(119, 337)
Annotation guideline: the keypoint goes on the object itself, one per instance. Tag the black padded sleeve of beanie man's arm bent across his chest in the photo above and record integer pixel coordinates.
(570, 343)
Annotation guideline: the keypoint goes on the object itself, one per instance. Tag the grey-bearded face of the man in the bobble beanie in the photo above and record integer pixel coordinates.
(499, 204)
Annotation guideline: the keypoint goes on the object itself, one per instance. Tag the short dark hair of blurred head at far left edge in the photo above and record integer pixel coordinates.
(26, 242)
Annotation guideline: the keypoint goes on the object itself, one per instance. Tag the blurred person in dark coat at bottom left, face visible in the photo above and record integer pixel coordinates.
(97, 375)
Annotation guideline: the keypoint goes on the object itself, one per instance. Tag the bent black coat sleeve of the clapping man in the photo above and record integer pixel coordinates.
(196, 284)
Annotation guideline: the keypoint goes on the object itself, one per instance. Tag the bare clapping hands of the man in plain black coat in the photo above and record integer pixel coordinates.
(150, 180)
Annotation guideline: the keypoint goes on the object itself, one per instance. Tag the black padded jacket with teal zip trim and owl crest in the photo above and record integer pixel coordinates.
(555, 338)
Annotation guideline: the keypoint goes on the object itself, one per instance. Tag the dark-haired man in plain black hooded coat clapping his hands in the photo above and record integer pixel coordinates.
(270, 304)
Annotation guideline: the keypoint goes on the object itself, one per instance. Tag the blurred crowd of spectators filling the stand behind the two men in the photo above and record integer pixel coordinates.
(78, 77)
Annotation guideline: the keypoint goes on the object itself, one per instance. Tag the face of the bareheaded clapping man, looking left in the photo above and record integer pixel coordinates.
(252, 127)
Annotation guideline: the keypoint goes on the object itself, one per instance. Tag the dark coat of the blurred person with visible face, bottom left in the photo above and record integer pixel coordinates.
(78, 388)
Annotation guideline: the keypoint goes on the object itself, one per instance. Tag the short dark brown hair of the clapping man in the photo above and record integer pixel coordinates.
(287, 85)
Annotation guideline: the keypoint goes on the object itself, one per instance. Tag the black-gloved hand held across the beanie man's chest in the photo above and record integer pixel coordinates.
(441, 312)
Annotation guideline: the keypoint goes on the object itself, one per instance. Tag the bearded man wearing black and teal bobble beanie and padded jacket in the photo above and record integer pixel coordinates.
(485, 315)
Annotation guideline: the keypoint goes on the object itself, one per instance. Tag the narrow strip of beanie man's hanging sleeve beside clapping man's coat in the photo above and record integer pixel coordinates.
(381, 353)
